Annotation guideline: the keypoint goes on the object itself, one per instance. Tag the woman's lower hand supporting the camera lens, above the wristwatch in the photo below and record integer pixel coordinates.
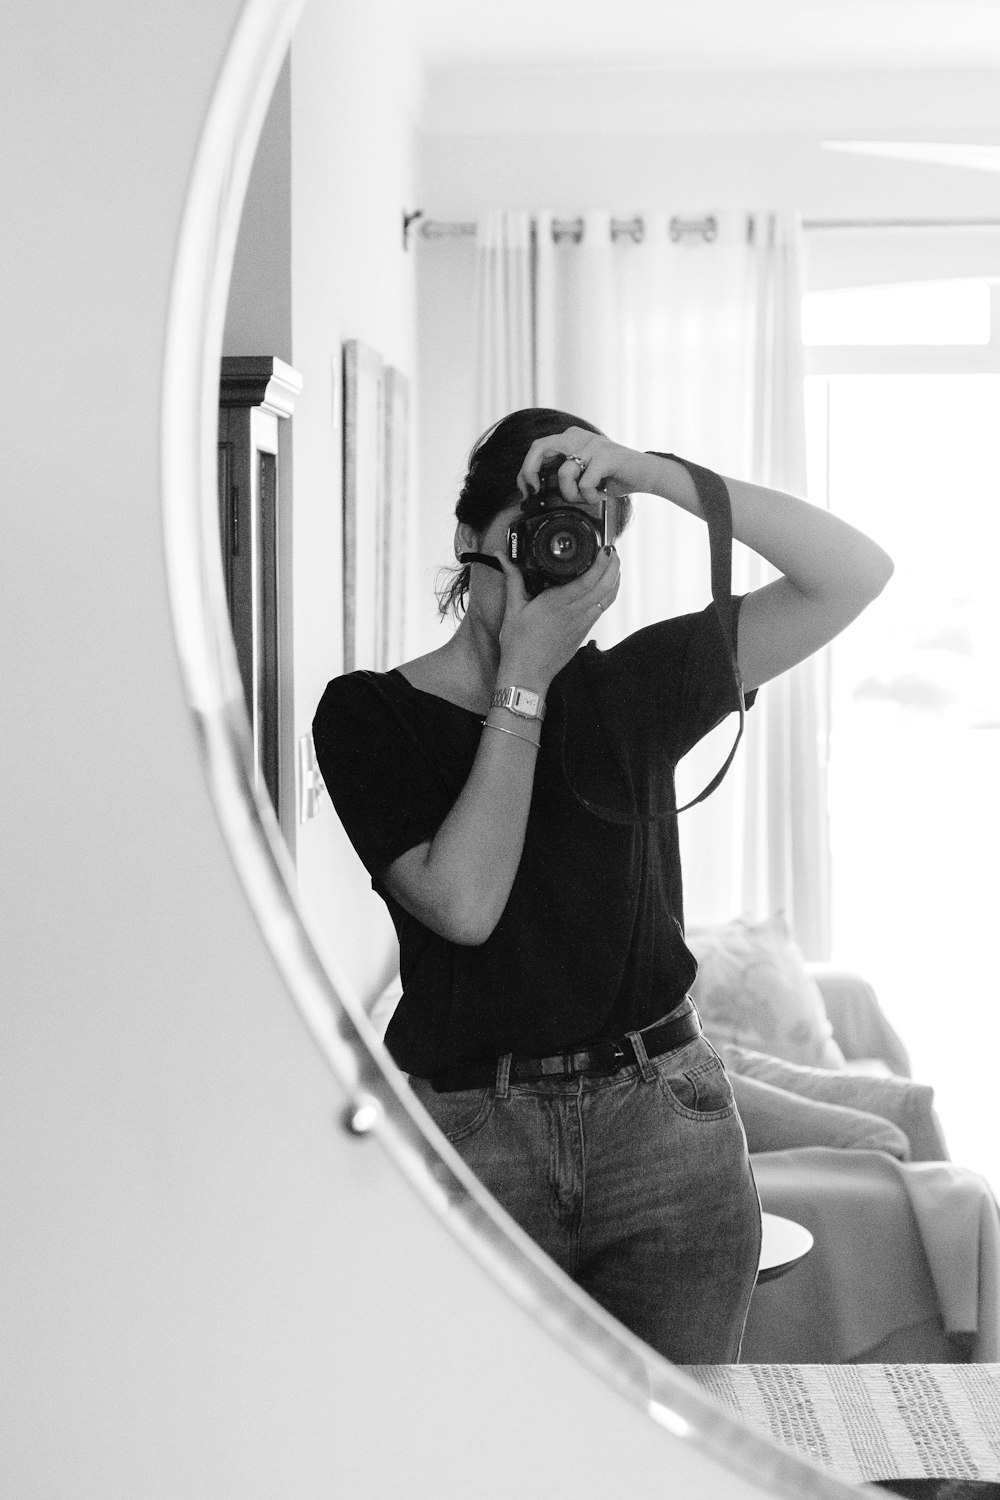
(542, 635)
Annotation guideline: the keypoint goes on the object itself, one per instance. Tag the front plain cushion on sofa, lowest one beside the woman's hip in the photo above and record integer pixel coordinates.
(776, 1120)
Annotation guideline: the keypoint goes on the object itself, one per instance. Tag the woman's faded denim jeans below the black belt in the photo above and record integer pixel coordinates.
(638, 1186)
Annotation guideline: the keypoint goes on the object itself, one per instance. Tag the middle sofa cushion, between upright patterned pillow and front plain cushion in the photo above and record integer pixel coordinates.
(909, 1106)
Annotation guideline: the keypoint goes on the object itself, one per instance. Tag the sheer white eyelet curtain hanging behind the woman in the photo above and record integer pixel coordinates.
(687, 344)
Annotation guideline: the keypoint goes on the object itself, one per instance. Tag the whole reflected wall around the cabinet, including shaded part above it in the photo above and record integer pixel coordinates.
(322, 260)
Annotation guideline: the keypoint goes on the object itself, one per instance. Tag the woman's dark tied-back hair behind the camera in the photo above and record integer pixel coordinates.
(491, 482)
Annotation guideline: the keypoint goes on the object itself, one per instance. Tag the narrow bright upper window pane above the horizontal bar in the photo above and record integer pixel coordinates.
(909, 313)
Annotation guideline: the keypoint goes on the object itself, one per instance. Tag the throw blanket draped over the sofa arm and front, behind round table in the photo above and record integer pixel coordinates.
(905, 1268)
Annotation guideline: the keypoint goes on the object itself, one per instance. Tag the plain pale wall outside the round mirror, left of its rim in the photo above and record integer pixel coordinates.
(208, 1289)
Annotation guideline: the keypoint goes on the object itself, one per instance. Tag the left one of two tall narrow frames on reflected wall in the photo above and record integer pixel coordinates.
(364, 503)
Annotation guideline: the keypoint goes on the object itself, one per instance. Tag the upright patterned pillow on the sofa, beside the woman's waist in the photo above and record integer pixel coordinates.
(753, 991)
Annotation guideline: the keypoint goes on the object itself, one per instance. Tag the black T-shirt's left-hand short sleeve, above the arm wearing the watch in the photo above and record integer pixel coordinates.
(382, 781)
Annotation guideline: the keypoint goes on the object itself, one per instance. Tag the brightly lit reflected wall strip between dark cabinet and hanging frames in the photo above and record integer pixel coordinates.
(355, 109)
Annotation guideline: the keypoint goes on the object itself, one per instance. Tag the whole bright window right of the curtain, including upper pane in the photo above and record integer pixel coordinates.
(905, 442)
